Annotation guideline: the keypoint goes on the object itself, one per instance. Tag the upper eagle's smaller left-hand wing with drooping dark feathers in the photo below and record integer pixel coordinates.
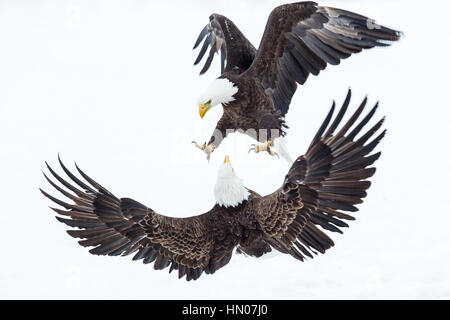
(222, 35)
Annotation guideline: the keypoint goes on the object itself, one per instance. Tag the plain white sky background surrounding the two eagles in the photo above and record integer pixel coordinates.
(111, 85)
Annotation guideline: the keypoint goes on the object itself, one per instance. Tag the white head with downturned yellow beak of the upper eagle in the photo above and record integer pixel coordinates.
(221, 91)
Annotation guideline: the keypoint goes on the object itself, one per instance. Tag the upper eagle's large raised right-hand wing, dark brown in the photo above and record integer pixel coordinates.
(302, 38)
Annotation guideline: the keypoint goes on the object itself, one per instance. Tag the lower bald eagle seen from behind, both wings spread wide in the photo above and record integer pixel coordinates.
(329, 180)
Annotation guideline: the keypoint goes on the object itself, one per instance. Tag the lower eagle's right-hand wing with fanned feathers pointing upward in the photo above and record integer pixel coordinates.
(324, 184)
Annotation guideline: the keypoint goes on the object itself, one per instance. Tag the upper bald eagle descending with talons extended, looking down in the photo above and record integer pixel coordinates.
(256, 86)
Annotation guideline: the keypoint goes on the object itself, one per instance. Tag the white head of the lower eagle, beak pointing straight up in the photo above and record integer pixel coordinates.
(229, 190)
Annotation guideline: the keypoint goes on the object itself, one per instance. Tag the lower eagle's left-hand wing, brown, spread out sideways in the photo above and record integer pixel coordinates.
(123, 226)
